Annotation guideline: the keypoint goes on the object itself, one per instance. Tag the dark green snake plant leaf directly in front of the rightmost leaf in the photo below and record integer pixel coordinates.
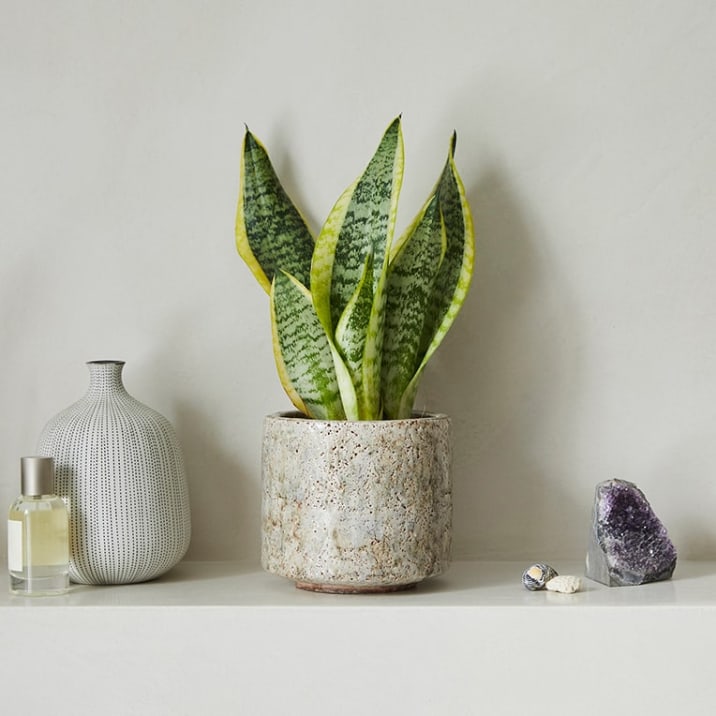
(411, 282)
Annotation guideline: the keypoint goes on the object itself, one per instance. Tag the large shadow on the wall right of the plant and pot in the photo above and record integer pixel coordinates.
(512, 395)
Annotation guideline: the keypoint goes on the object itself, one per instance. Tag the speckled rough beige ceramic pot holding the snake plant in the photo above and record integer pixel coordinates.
(356, 506)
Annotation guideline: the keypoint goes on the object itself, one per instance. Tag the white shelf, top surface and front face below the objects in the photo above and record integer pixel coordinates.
(226, 638)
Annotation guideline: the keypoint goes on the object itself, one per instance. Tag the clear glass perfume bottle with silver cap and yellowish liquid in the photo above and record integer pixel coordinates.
(38, 533)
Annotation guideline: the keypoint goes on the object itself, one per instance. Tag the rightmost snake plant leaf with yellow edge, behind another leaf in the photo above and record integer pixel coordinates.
(451, 282)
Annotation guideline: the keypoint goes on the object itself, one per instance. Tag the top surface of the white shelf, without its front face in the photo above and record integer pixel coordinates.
(466, 584)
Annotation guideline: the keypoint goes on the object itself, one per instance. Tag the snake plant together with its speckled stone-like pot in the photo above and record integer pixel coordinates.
(356, 486)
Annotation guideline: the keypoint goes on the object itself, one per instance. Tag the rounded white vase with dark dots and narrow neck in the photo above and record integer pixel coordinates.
(120, 469)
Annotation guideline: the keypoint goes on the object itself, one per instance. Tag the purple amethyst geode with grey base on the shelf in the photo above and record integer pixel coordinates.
(628, 545)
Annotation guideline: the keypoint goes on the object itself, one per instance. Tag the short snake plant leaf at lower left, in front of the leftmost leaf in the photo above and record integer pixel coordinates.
(304, 357)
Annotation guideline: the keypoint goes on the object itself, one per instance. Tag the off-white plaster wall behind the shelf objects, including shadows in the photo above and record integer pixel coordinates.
(587, 143)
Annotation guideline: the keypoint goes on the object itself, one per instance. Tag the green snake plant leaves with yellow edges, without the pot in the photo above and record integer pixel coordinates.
(355, 314)
